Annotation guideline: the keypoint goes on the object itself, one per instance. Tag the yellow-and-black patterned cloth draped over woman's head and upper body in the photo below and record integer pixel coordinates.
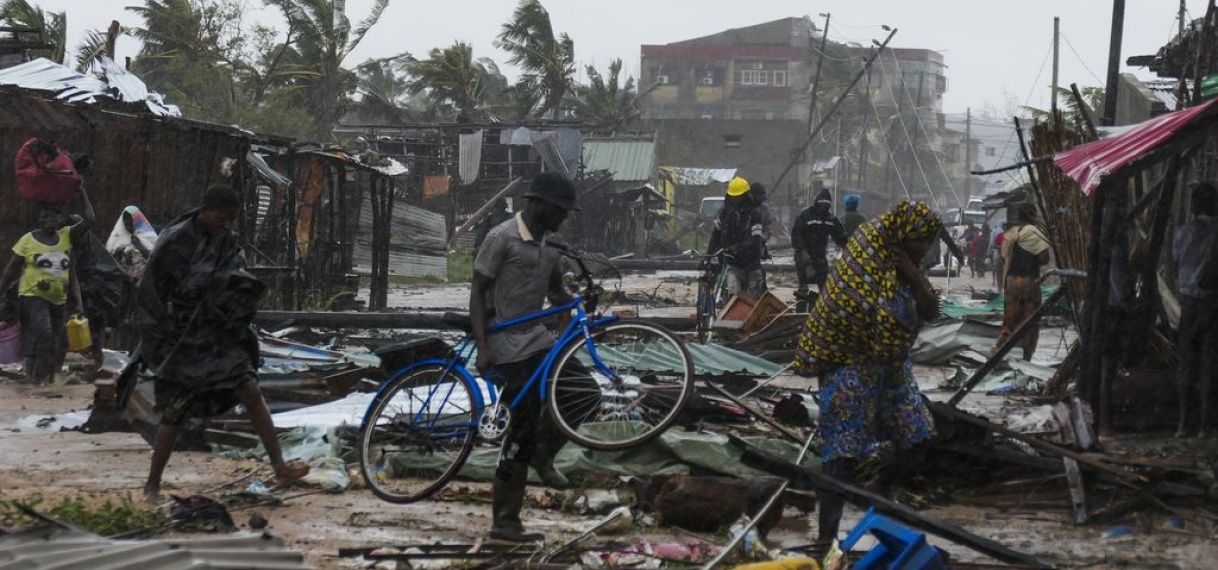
(853, 321)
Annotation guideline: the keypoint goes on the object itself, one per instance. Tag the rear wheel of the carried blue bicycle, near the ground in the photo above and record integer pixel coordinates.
(417, 434)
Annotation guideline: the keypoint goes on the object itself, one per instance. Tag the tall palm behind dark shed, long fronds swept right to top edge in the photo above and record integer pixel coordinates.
(314, 66)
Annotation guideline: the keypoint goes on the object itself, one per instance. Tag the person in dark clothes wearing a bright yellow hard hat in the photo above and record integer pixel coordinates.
(740, 232)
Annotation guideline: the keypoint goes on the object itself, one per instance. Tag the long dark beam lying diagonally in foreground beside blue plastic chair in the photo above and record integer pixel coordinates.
(807, 478)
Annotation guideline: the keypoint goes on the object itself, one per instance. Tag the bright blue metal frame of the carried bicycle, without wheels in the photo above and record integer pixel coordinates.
(461, 355)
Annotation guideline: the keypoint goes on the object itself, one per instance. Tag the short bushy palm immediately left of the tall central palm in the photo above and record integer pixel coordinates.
(451, 79)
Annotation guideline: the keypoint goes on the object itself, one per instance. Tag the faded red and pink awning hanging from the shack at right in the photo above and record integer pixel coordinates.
(1090, 164)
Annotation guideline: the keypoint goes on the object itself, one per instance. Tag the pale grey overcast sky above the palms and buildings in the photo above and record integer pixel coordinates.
(997, 51)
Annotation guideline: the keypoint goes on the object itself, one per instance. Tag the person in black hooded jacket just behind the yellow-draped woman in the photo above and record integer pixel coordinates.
(811, 234)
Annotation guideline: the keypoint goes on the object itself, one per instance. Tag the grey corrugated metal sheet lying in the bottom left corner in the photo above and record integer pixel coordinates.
(71, 550)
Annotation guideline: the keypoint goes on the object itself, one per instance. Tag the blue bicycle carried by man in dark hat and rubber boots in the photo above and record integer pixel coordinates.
(610, 385)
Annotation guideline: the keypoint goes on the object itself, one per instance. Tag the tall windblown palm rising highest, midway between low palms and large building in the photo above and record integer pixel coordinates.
(547, 62)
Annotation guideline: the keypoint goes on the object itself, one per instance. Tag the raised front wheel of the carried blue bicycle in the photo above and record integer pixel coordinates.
(623, 389)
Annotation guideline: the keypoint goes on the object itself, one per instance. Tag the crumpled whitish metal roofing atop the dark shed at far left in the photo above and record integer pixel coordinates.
(71, 86)
